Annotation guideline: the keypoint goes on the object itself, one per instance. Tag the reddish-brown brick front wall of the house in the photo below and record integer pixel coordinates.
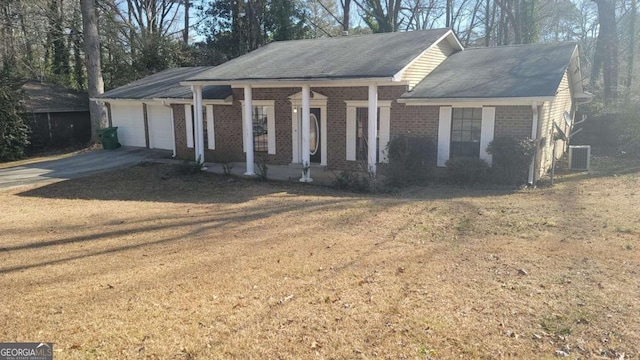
(412, 120)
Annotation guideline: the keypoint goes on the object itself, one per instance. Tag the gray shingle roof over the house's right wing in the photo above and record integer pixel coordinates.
(501, 72)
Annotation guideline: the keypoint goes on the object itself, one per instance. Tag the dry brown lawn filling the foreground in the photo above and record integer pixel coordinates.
(145, 263)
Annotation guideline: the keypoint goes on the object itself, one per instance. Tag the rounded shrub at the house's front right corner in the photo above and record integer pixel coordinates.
(511, 159)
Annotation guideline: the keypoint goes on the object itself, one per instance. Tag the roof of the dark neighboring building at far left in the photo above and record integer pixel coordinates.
(44, 98)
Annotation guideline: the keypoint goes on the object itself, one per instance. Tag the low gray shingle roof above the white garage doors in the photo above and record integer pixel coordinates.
(166, 85)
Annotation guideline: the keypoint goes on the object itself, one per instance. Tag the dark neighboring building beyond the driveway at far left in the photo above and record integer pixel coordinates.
(58, 117)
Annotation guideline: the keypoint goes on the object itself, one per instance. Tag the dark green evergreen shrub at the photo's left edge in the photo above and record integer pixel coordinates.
(14, 132)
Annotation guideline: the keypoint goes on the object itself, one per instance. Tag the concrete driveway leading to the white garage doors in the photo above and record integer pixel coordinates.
(79, 165)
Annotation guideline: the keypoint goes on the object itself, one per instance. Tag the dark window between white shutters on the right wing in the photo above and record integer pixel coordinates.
(466, 124)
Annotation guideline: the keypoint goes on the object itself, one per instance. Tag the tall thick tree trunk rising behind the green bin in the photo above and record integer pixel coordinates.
(94, 70)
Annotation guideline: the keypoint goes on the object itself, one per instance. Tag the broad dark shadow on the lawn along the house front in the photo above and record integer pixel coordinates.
(164, 183)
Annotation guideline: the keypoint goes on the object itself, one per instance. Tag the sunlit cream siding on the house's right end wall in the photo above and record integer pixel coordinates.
(550, 112)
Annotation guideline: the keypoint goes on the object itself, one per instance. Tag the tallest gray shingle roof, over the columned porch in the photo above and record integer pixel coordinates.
(363, 56)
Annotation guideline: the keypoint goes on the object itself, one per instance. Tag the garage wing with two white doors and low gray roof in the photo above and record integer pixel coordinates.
(144, 110)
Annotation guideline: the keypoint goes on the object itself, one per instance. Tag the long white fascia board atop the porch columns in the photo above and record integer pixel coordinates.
(271, 83)
